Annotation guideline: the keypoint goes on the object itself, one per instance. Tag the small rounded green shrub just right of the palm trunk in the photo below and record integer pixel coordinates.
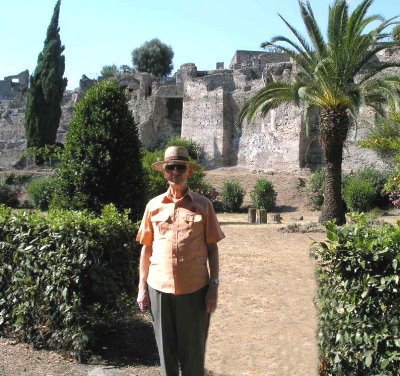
(359, 195)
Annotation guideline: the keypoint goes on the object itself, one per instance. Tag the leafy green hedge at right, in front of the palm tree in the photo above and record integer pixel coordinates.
(358, 299)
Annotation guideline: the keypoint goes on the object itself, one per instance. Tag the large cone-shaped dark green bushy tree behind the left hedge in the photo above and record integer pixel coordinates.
(101, 163)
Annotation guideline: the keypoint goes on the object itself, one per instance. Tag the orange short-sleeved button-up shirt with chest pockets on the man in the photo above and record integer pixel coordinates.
(179, 233)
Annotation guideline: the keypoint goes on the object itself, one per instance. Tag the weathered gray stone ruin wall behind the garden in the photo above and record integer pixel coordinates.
(203, 105)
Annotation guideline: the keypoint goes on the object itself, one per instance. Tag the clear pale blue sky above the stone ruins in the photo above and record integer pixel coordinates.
(104, 32)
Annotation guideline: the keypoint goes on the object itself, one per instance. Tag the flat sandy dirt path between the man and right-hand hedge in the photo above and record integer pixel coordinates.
(266, 321)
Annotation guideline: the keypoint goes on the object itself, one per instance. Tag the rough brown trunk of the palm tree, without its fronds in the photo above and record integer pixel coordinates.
(334, 126)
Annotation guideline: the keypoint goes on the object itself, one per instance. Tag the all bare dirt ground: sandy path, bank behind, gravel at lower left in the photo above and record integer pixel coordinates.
(265, 324)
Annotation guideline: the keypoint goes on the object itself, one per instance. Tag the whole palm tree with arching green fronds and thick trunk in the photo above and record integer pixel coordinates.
(336, 76)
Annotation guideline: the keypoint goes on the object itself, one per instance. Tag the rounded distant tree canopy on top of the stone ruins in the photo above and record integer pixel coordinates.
(153, 57)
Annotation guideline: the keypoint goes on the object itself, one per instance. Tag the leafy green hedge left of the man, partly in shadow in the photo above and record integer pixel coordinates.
(65, 276)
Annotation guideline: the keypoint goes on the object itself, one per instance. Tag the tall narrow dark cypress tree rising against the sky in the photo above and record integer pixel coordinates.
(47, 85)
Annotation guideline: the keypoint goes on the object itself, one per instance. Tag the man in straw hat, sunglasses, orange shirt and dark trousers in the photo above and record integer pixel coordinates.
(179, 233)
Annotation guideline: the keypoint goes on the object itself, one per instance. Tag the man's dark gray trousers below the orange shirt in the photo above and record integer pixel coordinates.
(180, 326)
